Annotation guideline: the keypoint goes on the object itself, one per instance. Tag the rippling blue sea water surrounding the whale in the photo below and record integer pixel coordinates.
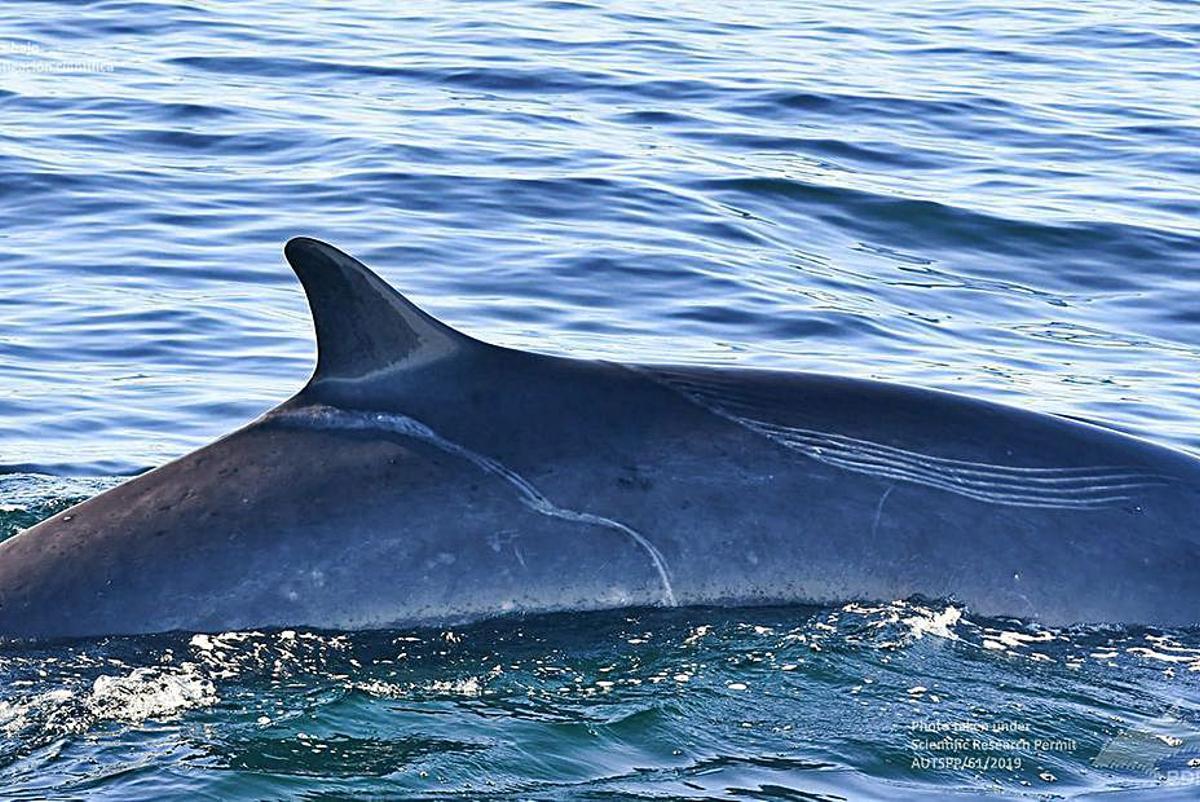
(995, 199)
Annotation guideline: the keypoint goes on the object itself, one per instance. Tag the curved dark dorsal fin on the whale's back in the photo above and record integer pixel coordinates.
(364, 327)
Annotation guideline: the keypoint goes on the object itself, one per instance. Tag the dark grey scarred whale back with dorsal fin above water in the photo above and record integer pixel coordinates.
(423, 477)
